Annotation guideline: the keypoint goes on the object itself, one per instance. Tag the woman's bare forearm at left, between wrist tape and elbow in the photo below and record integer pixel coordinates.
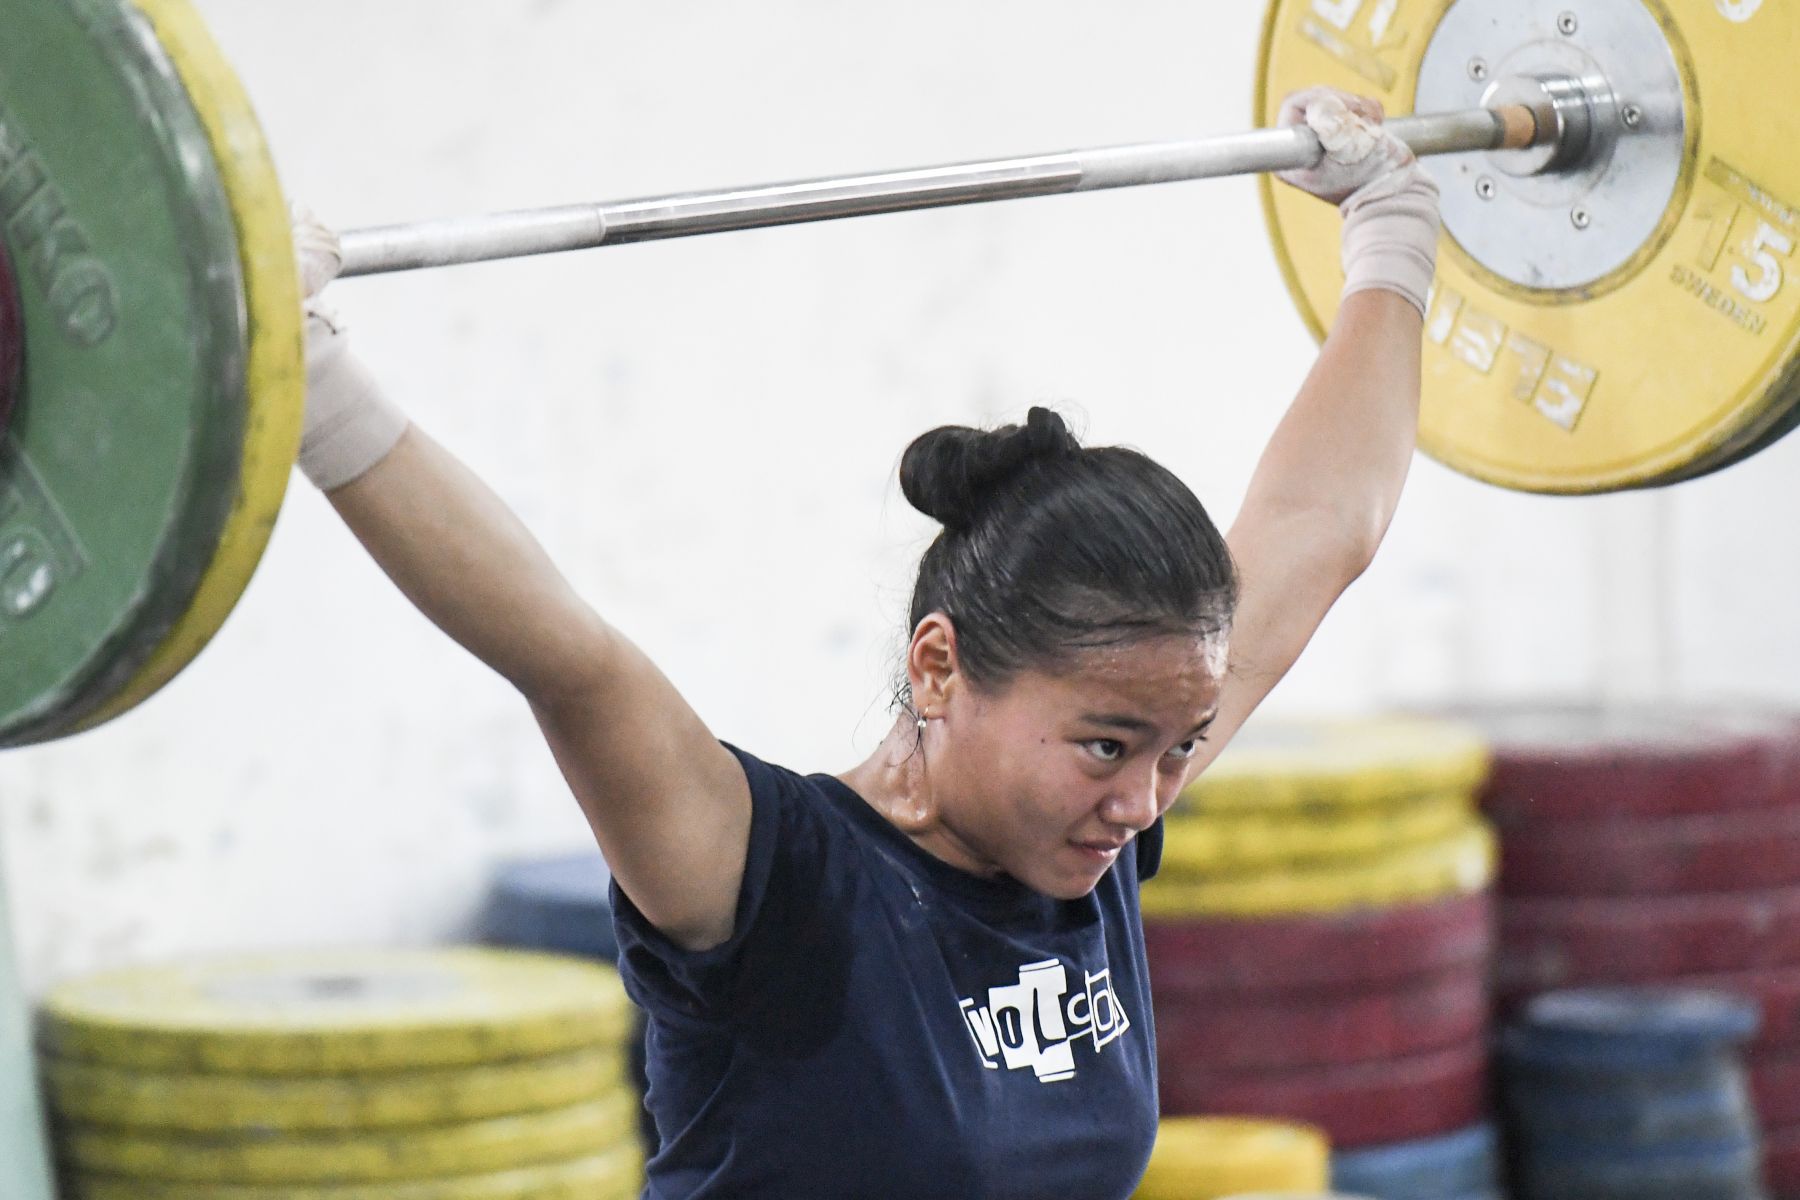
(471, 566)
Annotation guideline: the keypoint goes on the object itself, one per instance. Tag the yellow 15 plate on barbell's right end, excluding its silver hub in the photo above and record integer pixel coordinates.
(1684, 361)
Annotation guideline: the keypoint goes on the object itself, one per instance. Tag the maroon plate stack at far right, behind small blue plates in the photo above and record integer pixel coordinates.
(1657, 848)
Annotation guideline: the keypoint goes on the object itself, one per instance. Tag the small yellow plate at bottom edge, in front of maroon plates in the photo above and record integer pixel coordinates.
(1212, 1158)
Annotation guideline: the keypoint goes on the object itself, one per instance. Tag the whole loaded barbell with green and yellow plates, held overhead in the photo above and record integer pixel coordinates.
(1610, 309)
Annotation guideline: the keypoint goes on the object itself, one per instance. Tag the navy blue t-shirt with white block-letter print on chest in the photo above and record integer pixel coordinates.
(883, 1025)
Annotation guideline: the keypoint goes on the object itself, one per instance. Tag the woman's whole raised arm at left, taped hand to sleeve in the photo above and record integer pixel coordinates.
(667, 801)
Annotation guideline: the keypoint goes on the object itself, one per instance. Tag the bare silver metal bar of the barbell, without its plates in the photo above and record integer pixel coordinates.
(586, 226)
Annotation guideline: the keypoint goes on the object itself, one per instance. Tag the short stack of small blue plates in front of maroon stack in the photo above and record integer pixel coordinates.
(1632, 1095)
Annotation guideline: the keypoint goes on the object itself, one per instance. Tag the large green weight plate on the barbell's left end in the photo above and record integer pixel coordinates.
(123, 458)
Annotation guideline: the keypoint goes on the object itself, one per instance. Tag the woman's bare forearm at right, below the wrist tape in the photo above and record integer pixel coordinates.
(1347, 442)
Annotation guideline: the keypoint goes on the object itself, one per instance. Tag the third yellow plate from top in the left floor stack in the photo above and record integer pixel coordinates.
(357, 1158)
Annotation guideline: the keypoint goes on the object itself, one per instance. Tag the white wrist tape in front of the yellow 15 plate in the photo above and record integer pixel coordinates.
(1390, 237)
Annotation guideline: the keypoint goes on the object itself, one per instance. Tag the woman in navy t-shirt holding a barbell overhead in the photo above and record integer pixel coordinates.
(926, 976)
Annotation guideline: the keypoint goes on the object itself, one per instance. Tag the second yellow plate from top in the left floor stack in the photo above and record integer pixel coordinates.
(202, 1104)
